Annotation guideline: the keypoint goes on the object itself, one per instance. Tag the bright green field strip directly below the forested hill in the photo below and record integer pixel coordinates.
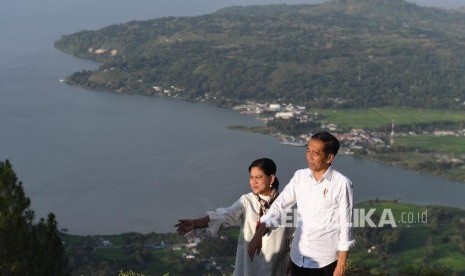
(381, 117)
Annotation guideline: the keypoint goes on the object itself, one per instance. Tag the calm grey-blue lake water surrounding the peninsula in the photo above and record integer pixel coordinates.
(109, 163)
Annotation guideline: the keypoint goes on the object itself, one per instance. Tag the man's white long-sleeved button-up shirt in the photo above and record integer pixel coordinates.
(325, 216)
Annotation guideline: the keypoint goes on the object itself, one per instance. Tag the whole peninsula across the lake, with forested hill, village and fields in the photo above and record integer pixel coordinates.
(386, 76)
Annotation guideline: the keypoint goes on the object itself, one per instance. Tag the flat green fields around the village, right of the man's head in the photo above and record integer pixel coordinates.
(429, 141)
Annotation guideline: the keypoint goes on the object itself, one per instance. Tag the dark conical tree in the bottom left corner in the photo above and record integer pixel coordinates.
(26, 248)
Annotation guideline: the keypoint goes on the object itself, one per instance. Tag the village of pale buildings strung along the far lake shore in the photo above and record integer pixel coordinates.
(353, 141)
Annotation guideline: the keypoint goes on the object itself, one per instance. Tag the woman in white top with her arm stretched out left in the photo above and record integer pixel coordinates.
(248, 209)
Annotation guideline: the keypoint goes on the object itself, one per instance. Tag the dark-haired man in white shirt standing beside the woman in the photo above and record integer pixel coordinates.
(324, 199)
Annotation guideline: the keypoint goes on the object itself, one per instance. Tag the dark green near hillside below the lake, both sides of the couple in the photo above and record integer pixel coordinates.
(425, 240)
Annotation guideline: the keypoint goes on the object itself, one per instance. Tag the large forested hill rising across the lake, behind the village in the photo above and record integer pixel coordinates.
(345, 53)
